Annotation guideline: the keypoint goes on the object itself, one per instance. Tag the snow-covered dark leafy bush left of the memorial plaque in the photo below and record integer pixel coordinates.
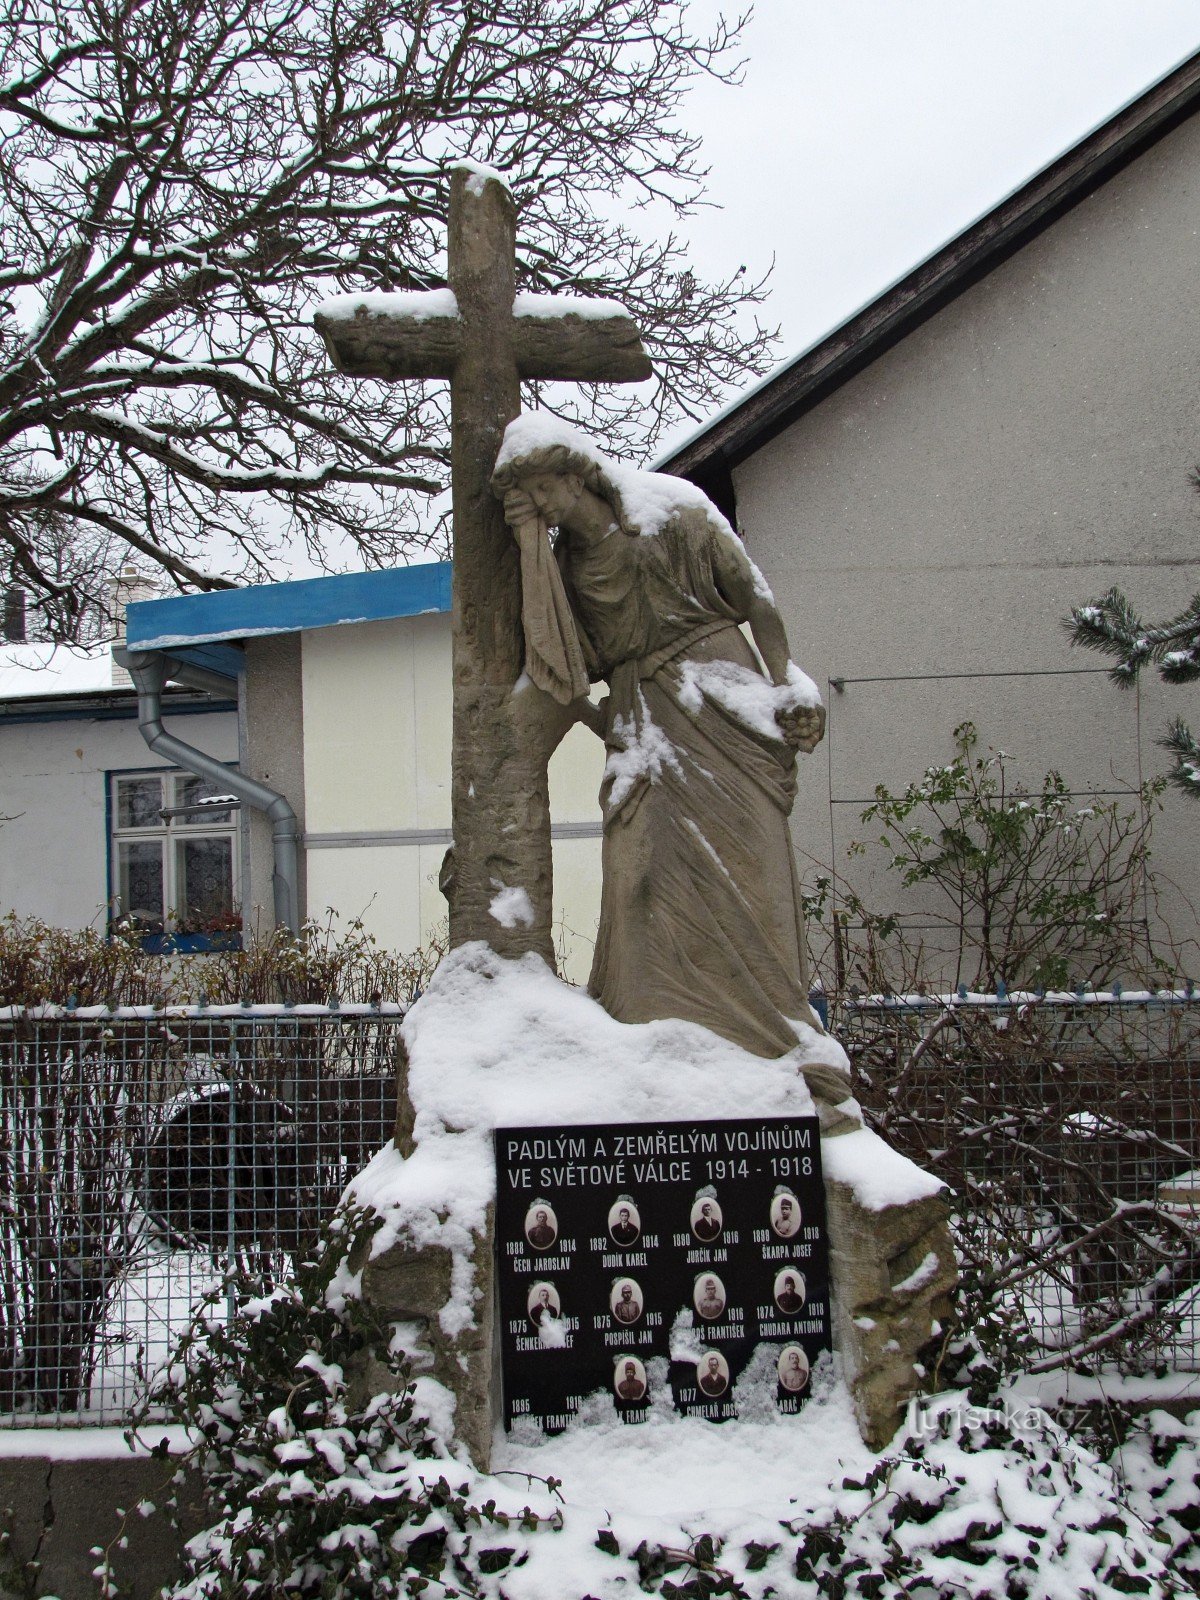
(319, 1487)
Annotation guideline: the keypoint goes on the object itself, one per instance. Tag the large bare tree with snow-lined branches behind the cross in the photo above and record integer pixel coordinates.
(183, 182)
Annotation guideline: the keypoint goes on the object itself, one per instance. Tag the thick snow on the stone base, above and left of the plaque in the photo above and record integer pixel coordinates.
(498, 1044)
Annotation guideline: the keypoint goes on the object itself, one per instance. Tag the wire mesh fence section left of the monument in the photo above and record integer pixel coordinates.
(143, 1154)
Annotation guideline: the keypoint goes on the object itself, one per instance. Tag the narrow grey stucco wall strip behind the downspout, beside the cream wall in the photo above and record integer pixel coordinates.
(273, 751)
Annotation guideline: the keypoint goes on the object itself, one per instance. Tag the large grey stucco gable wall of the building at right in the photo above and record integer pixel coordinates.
(1023, 450)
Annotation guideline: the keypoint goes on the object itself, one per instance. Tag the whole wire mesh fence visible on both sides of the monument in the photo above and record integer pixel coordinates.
(143, 1153)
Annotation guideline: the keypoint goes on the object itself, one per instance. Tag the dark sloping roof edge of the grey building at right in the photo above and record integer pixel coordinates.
(778, 401)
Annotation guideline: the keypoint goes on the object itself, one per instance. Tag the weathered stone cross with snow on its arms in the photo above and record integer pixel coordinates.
(502, 742)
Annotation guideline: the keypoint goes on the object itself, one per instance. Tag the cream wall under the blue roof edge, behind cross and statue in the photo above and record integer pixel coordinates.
(377, 788)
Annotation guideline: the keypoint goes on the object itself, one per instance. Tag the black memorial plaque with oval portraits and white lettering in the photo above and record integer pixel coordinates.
(607, 1234)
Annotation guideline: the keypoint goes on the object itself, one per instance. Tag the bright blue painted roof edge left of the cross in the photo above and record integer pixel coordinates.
(289, 609)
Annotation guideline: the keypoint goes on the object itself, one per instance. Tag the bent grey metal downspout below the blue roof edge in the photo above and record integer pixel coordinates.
(150, 673)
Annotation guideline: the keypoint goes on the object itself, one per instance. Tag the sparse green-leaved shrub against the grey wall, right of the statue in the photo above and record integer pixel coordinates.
(982, 879)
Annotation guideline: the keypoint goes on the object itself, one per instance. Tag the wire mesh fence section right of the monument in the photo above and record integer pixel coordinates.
(1068, 1129)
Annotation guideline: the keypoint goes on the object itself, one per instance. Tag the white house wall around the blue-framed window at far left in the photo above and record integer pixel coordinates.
(54, 799)
